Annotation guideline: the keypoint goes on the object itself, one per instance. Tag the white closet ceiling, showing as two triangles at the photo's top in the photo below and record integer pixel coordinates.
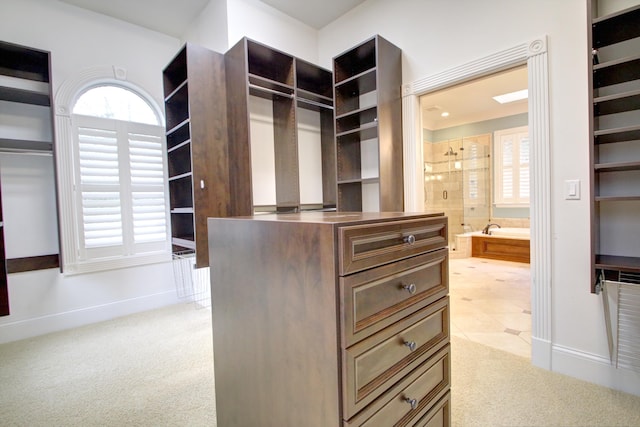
(173, 17)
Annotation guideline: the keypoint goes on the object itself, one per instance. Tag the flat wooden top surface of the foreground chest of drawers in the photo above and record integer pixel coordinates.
(337, 217)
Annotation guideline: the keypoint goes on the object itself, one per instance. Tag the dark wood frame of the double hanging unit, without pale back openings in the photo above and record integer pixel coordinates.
(289, 83)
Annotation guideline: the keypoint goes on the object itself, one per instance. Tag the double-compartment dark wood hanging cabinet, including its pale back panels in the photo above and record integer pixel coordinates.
(269, 94)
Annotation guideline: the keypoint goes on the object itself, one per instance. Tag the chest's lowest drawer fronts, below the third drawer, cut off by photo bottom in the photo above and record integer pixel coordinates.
(420, 399)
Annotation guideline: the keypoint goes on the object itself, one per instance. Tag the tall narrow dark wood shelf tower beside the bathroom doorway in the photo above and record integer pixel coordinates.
(368, 126)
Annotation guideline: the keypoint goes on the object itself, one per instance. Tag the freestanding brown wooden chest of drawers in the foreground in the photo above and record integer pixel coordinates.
(330, 319)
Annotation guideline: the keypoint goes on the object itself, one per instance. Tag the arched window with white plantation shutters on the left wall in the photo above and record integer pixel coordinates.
(118, 197)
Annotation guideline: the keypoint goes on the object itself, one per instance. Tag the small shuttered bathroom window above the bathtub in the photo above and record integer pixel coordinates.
(511, 167)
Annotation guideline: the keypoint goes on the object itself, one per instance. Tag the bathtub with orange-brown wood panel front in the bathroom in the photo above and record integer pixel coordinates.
(506, 243)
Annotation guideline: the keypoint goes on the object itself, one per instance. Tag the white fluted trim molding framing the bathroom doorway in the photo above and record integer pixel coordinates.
(534, 54)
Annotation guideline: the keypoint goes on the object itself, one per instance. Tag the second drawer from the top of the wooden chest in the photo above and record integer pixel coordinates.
(374, 299)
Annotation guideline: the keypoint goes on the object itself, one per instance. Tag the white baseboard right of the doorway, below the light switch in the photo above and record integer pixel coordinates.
(595, 369)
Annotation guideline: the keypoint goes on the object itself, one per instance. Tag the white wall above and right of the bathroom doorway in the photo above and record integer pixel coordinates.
(435, 36)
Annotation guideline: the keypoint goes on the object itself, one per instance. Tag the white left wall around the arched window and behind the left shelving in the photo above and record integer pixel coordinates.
(44, 301)
